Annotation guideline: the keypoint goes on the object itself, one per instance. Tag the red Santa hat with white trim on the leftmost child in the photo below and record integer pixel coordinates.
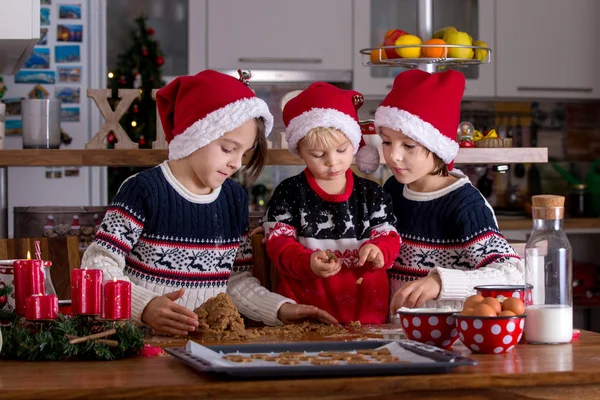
(195, 110)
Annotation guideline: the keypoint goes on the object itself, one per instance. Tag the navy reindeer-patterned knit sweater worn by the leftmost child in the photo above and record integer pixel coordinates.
(162, 237)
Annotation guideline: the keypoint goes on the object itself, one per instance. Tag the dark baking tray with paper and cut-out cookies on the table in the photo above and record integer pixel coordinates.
(417, 358)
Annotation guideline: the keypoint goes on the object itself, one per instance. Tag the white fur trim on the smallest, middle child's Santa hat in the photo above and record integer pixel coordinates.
(321, 117)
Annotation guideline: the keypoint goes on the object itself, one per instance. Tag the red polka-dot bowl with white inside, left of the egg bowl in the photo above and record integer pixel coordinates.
(429, 326)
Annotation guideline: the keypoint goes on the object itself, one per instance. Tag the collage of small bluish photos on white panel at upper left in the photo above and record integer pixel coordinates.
(55, 69)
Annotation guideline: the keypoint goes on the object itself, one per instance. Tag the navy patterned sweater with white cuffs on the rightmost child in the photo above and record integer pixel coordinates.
(453, 232)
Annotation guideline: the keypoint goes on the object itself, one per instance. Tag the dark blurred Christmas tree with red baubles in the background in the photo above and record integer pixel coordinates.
(137, 67)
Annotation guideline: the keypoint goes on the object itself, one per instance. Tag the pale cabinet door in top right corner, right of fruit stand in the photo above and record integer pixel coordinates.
(547, 48)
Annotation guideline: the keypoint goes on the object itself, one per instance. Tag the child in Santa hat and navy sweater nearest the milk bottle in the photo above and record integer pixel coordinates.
(451, 241)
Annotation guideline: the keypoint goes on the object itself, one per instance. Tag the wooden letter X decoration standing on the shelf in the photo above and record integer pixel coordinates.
(111, 118)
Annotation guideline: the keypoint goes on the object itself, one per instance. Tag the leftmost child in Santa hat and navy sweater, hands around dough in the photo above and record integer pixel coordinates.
(179, 231)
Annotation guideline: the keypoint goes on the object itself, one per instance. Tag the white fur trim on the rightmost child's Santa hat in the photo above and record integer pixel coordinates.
(417, 129)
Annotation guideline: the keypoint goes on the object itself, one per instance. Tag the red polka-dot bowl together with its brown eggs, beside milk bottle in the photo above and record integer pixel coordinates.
(488, 325)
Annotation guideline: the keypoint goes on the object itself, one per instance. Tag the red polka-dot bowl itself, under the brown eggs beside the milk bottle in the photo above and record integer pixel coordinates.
(490, 335)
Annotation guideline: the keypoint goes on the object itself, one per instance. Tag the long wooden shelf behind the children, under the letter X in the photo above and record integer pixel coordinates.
(148, 158)
